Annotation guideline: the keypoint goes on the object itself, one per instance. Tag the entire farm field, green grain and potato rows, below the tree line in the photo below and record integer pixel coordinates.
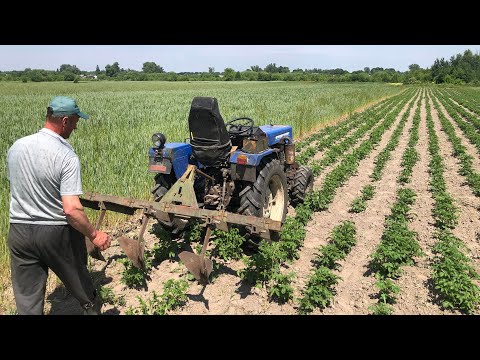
(392, 226)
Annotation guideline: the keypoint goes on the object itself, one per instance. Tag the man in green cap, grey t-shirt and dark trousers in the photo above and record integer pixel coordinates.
(47, 222)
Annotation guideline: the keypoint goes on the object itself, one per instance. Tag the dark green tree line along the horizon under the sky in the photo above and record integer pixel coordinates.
(459, 69)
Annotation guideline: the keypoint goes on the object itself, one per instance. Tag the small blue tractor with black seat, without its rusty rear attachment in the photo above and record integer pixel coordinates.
(240, 167)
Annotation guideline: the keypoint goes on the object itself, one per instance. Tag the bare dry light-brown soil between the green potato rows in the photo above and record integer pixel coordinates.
(227, 294)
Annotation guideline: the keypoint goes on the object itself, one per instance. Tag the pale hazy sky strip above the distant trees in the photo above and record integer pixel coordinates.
(197, 58)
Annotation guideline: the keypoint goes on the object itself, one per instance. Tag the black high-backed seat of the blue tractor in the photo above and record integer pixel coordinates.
(209, 138)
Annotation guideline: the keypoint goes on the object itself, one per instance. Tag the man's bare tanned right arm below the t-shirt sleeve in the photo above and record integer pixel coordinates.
(73, 209)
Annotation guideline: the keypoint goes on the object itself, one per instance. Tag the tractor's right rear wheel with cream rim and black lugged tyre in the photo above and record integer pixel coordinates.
(268, 196)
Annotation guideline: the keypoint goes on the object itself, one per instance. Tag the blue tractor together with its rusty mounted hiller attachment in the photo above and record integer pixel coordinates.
(233, 174)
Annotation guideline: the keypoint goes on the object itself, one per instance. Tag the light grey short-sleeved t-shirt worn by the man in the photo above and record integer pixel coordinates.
(41, 168)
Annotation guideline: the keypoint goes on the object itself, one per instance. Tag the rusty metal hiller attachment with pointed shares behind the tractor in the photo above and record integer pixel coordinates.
(179, 203)
